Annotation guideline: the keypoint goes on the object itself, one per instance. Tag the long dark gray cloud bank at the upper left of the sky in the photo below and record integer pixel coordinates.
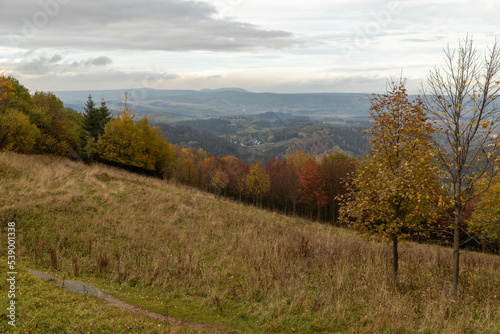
(168, 25)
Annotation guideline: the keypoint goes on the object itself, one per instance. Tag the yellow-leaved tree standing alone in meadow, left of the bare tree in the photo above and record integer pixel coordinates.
(384, 198)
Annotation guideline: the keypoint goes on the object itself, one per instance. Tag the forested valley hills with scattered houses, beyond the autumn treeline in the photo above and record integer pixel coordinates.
(265, 136)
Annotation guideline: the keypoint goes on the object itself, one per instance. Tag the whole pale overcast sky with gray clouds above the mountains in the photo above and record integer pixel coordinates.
(259, 45)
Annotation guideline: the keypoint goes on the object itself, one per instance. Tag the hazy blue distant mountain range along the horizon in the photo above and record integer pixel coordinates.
(174, 105)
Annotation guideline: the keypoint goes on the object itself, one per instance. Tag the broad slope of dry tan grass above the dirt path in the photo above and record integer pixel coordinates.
(178, 251)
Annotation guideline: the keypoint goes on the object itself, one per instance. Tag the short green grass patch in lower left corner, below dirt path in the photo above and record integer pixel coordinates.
(43, 307)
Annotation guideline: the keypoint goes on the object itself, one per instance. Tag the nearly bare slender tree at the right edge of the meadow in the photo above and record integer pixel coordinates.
(462, 95)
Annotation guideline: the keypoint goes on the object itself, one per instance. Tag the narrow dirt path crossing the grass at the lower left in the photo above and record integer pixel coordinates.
(90, 290)
